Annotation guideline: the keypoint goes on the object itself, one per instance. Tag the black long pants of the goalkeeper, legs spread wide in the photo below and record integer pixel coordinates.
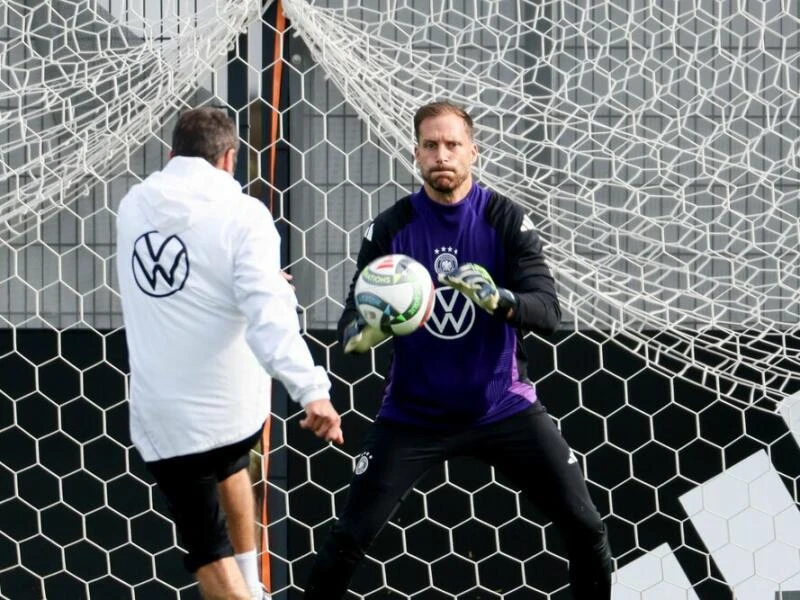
(527, 448)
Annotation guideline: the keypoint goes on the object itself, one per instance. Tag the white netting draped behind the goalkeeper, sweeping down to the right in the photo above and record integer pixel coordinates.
(655, 145)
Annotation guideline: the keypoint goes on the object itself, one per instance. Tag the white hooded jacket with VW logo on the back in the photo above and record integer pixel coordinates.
(206, 312)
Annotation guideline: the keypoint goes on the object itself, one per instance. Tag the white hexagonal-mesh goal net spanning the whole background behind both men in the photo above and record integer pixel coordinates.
(655, 148)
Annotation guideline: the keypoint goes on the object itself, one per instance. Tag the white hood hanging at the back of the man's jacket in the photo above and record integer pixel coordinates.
(183, 191)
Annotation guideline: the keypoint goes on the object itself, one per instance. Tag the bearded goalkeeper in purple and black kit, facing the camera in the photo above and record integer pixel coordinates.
(458, 387)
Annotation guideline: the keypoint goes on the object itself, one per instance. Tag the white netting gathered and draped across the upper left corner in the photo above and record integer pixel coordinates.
(81, 89)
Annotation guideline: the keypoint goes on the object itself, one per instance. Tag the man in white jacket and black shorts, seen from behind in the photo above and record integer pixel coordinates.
(209, 318)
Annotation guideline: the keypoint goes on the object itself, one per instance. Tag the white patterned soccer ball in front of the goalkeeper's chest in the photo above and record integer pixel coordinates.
(395, 294)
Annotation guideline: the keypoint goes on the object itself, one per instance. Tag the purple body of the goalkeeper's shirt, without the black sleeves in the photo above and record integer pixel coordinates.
(460, 369)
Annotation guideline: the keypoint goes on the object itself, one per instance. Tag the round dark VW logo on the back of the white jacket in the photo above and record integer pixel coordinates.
(160, 264)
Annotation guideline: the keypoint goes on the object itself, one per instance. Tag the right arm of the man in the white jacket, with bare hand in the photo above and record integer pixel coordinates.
(273, 330)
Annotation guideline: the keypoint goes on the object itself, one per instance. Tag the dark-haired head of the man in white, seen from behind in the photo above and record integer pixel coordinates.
(204, 132)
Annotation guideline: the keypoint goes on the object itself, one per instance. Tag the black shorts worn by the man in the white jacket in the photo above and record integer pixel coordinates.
(189, 484)
